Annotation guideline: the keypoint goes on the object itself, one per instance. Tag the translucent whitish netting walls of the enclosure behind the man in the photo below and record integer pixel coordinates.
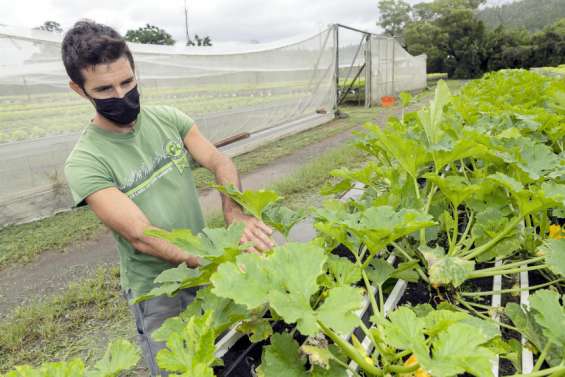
(227, 93)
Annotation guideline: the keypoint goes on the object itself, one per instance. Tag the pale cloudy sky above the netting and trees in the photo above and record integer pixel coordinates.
(223, 20)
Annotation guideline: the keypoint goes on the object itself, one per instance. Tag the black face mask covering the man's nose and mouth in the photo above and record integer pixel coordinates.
(122, 111)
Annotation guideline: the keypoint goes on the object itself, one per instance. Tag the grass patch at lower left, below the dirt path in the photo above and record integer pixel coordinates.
(66, 325)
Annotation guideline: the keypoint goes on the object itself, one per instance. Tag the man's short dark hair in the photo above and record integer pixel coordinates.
(88, 44)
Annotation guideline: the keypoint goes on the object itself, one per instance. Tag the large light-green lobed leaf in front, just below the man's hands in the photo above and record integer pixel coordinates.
(286, 280)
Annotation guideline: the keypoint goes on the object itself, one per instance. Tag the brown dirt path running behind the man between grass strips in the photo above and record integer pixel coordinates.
(54, 270)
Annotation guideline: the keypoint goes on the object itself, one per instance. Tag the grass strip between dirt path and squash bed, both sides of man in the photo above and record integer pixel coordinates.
(92, 312)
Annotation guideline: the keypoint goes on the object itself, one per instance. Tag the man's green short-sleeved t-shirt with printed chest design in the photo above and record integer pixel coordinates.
(151, 166)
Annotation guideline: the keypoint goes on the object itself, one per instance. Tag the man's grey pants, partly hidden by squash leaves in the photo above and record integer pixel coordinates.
(150, 315)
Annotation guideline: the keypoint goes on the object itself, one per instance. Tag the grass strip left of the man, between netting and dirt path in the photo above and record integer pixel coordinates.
(21, 243)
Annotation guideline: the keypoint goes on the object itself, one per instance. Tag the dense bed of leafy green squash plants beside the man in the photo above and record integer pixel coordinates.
(469, 180)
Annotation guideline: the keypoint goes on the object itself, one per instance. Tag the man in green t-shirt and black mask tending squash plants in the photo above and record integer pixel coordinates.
(131, 167)
